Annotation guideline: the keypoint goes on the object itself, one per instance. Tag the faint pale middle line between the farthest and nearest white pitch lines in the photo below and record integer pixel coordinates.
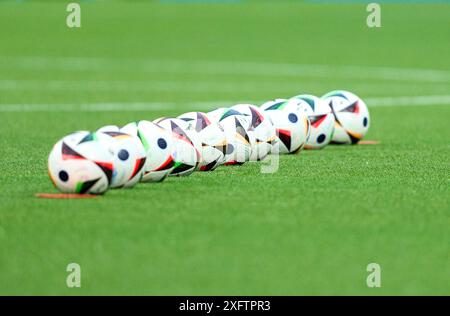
(200, 86)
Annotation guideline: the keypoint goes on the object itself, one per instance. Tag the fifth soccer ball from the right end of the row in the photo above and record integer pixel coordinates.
(239, 141)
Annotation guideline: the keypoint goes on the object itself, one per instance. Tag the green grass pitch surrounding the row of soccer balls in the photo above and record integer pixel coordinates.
(310, 228)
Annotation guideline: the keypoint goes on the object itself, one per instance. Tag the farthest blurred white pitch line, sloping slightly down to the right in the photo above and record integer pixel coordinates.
(270, 69)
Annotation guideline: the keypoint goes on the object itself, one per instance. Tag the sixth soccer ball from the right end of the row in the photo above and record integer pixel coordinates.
(212, 137)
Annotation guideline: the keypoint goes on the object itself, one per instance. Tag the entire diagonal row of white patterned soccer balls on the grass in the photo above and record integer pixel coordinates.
(113, 157)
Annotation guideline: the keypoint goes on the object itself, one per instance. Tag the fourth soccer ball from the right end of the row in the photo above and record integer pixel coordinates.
(262, 129)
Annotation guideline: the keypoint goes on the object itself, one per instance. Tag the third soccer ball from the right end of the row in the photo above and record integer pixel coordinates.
(291, 124)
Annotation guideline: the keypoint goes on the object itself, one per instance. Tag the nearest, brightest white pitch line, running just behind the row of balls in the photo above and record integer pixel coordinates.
(204, 105)
